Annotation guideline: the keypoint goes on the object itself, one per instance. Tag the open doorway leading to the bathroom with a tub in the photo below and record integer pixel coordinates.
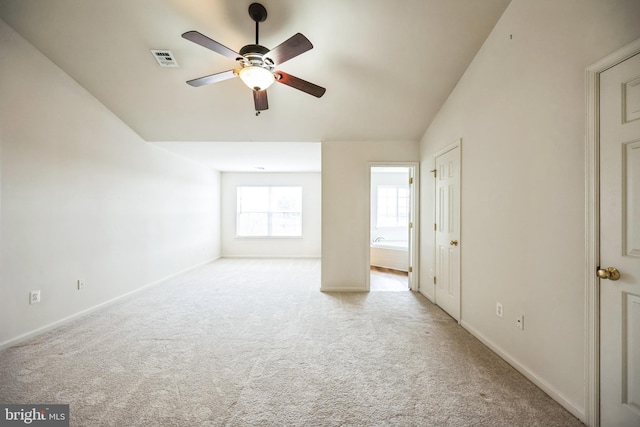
(392, 227)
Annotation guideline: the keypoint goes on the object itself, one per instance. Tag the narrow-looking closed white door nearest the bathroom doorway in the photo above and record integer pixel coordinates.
(447, 292)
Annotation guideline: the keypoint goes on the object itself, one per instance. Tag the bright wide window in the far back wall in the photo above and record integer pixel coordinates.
(269, 212)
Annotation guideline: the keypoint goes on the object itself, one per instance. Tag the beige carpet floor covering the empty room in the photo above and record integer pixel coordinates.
(254, 343)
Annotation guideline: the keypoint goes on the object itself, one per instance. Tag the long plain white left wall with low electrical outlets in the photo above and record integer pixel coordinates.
(84, 197)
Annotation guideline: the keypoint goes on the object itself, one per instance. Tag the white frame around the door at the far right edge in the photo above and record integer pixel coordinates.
(592, 224)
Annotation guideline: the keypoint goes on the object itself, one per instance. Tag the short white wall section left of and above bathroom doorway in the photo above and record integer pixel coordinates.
(345, 207)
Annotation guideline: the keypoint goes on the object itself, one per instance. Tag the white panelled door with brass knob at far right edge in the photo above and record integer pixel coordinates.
(620, 244)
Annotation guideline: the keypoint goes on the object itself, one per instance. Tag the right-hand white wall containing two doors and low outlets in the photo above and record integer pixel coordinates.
(520, 111)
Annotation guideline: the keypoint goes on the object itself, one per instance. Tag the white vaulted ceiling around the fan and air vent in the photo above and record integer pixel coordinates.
(388, 65)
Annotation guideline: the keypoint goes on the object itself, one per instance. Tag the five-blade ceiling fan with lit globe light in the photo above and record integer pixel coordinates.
(257, 63)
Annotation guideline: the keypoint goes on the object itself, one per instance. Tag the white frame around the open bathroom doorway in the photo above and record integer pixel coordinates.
(414, 168)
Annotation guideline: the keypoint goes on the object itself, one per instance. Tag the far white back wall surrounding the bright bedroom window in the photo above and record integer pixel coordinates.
(306, 247)
